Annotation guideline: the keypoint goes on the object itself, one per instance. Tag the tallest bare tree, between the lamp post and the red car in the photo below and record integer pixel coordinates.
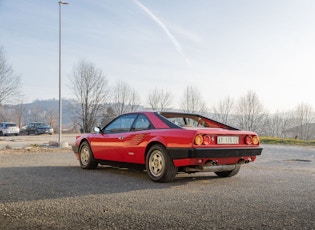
(89, 86)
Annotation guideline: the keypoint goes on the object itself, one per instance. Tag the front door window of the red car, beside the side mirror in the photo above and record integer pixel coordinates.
(121, 124)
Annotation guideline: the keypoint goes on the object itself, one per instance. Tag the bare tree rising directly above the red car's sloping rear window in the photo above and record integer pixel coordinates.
(192, 102)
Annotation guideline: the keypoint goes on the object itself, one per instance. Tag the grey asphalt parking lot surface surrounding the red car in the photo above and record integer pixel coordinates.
(50, 191)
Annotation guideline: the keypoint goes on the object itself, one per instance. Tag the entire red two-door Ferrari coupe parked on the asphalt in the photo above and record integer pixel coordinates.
(168, 143)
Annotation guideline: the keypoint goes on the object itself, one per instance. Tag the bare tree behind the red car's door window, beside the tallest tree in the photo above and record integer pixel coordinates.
(125, 99)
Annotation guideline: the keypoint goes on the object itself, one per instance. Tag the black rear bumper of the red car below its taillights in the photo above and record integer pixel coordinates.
(183, 153)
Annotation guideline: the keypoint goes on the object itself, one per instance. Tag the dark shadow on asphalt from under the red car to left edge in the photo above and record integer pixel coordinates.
(50, 182)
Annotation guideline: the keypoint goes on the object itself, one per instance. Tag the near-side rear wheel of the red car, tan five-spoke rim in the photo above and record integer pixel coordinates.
(159, 164)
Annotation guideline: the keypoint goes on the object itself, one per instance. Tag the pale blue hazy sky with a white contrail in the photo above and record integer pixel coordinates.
(223, 48)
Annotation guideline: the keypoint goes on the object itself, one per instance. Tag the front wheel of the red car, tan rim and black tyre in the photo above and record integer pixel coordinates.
(86, 157)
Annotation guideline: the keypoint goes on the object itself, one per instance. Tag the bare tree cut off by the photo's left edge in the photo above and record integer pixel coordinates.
(9, 82)
